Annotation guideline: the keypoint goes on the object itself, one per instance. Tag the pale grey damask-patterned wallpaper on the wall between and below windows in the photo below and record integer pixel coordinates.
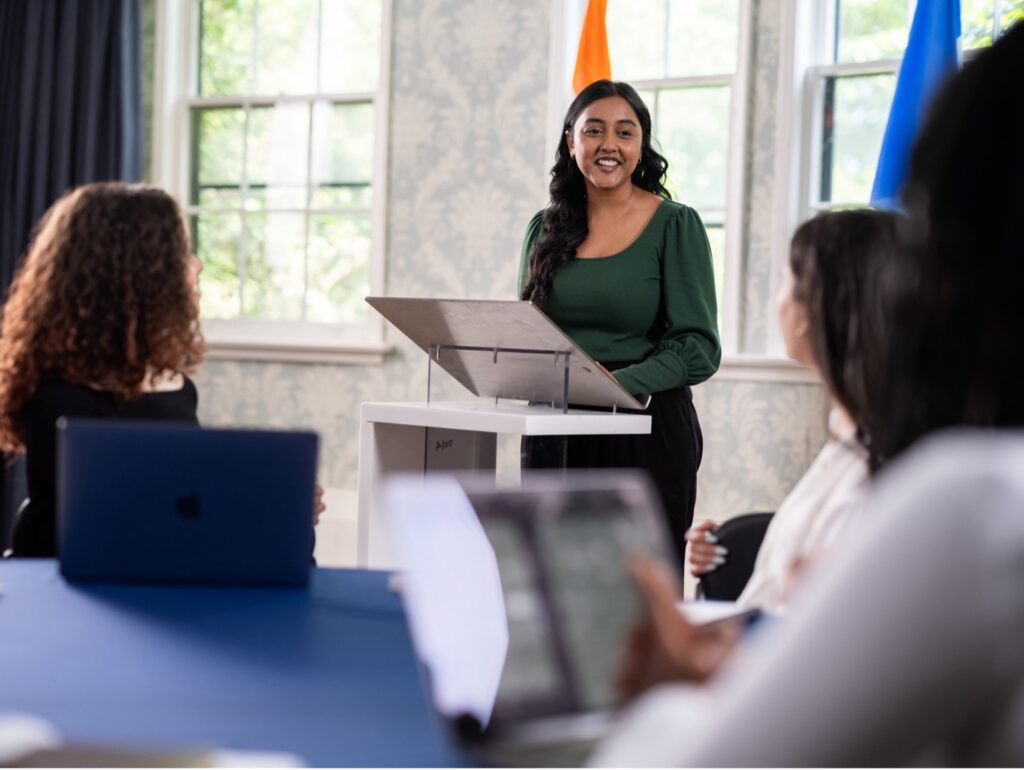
(467, 172)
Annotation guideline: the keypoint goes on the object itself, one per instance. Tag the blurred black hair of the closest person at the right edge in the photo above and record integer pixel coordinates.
(957, 352)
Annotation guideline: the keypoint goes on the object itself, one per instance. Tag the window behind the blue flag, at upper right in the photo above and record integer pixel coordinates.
(854, 82)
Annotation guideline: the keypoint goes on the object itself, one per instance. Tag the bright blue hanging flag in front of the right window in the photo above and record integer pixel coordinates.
(931, 56)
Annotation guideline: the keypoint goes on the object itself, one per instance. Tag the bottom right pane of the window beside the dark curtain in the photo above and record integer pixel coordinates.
(339, 268)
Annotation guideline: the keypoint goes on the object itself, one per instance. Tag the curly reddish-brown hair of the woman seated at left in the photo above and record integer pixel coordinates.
(102, 300)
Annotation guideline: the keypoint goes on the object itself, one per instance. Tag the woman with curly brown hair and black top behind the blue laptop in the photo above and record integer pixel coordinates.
(102, 322)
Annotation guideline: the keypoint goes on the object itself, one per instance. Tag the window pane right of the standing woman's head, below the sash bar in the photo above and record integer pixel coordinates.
(694, 134)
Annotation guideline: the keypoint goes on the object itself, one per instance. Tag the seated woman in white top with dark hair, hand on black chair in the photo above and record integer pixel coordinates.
(829, 313)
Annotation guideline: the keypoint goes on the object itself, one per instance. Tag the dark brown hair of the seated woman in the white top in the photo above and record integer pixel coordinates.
(838, 262)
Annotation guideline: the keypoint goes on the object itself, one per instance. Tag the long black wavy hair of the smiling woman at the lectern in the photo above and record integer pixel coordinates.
(565, 224)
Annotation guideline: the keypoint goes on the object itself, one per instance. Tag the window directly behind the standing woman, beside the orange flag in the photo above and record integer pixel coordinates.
(689, 61)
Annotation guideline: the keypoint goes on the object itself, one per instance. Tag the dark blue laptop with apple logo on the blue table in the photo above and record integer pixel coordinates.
(164, 503)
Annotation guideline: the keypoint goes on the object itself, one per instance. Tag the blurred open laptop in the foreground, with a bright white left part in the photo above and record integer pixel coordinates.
(521, 603)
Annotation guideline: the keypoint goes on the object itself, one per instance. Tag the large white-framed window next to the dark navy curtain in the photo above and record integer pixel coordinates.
(279, 149)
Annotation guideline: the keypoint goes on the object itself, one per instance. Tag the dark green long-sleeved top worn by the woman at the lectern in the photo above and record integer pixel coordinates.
(653, 304)
